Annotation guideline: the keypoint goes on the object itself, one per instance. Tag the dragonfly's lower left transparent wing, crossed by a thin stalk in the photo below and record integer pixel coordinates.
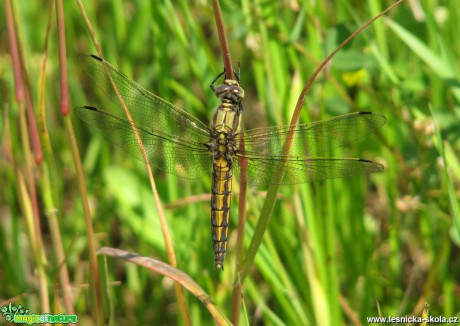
(167, 152)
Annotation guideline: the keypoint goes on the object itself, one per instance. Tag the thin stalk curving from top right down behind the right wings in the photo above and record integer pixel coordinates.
(270, 199)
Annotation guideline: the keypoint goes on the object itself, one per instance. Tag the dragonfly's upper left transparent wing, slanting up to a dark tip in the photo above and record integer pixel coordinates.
(147, 110)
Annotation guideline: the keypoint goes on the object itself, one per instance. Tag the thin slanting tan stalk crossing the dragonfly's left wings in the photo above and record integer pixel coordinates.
(164, 226)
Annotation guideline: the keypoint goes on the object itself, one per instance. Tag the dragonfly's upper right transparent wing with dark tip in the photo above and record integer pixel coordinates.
(311, 139)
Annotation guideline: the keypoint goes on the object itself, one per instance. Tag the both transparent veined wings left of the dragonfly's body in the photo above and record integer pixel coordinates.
(174, 141)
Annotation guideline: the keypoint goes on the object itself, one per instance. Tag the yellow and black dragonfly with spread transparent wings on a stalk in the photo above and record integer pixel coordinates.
(178, 143)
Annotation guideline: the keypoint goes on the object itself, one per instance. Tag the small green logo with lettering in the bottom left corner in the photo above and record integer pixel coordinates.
(20, 315)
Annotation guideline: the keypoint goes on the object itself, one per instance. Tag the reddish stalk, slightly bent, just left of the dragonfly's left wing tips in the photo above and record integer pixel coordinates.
(96, 293)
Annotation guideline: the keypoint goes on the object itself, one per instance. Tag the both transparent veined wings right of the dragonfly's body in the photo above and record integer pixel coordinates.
(307, 159)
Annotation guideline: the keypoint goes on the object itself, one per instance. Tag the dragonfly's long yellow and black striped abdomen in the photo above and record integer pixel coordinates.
(220, 207)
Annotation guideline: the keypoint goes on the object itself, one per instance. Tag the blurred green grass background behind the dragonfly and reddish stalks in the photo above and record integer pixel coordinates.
(336, 251)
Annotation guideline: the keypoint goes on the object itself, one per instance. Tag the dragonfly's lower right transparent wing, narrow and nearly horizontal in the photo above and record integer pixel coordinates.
(263, 170)
